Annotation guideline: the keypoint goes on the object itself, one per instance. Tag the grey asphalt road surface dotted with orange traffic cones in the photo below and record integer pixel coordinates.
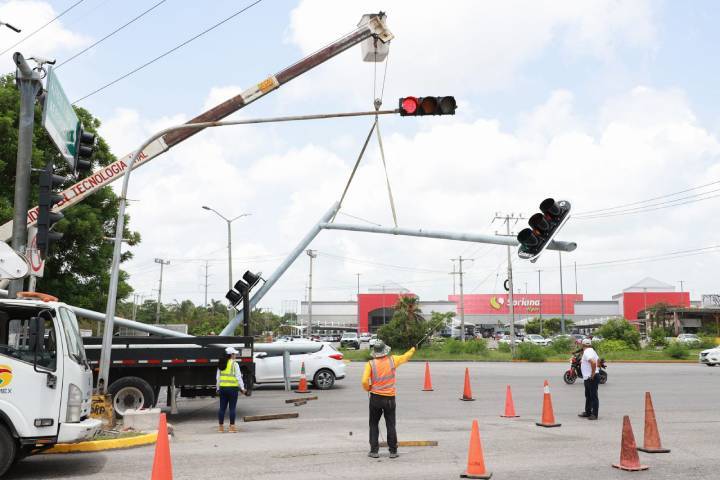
(329, 439)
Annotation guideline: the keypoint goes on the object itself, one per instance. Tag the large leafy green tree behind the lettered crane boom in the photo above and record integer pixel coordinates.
(77, 269)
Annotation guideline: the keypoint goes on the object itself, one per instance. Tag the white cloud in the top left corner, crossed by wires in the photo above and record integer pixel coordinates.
(29, 16)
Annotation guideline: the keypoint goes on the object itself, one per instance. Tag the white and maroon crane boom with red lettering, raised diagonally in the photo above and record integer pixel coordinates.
(375, 27)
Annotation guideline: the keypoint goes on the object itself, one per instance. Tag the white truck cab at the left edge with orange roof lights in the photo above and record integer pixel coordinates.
(45, 379)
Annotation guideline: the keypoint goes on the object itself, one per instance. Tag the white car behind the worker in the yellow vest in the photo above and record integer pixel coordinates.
(323, 366)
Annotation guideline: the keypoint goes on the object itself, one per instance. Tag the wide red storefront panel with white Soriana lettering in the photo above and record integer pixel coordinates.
(525, 304)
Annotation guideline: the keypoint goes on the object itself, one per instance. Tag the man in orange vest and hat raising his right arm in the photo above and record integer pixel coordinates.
(379, 379)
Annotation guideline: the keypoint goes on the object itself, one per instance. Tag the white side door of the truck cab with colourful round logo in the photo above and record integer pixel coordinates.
(29, 385)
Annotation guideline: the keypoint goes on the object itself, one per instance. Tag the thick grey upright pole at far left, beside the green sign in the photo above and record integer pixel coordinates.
(29, 84)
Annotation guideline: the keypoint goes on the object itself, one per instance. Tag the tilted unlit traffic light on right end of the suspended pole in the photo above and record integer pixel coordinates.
(543, 227)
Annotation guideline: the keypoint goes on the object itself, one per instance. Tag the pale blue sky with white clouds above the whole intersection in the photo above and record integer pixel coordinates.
(607, 104)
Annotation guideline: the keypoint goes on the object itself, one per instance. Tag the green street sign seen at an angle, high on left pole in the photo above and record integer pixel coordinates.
(59, 118)
